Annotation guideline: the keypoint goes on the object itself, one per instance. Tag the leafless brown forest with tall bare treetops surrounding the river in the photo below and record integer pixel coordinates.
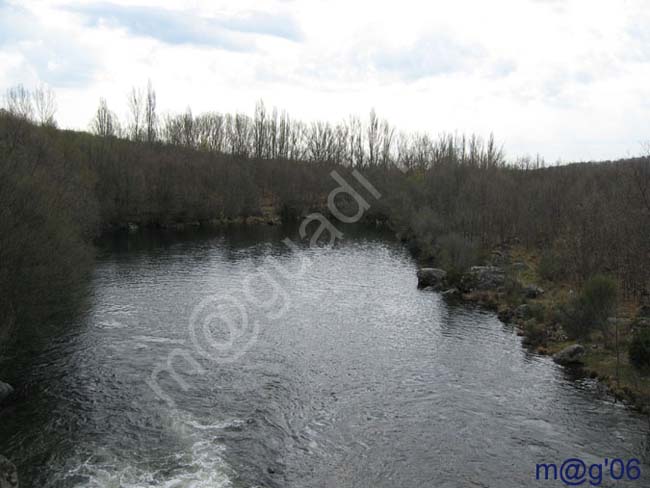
(451, 197)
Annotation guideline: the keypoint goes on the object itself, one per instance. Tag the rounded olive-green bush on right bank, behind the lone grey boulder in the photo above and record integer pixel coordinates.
(590, 309)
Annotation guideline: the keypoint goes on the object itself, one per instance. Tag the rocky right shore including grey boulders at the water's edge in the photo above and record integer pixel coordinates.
(508, 284)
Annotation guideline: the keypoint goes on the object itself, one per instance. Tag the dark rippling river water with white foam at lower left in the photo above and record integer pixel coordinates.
(339, 373)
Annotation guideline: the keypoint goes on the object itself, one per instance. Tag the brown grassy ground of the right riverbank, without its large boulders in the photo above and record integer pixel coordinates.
(533, 305)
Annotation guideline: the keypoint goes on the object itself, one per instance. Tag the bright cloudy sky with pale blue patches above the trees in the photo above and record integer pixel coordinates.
(568, 79)
